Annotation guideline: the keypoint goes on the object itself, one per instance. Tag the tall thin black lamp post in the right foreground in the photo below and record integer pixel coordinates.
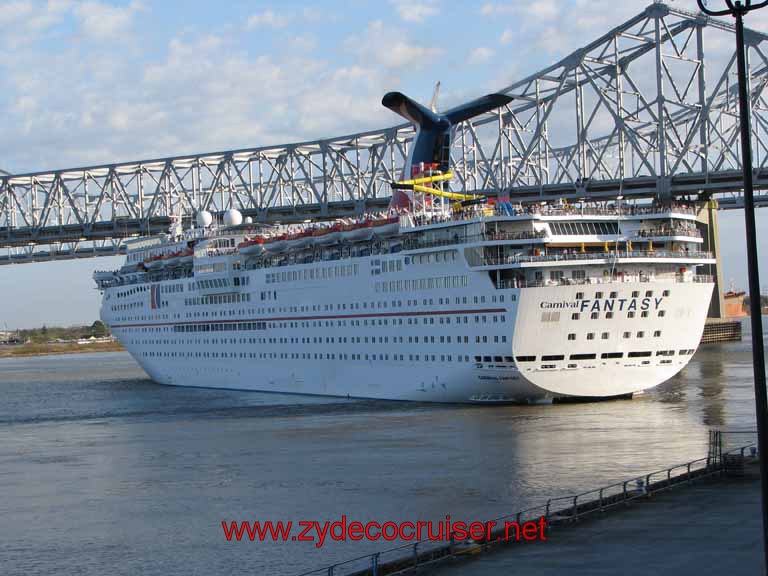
(738, 9)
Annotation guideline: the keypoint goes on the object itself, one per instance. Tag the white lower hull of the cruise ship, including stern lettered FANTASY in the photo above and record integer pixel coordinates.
(328, 354)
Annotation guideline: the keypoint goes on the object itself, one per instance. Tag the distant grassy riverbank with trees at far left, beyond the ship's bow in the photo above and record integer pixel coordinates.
(58, 340)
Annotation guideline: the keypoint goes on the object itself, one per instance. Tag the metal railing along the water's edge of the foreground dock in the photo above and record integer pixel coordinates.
(563, 510)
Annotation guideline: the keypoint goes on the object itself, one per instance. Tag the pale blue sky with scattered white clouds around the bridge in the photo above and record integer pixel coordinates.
(86, 82)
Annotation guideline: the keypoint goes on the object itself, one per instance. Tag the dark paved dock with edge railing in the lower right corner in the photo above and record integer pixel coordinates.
(699, 517)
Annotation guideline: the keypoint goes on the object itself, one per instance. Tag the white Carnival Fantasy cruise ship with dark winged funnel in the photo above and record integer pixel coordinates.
(443, 298)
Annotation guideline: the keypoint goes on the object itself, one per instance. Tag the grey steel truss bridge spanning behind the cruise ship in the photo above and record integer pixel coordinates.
(640, 112)
